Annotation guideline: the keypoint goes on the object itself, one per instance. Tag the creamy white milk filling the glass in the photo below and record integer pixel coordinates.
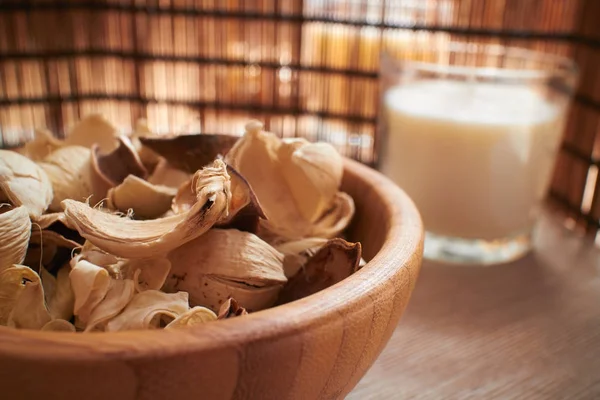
(476, 158)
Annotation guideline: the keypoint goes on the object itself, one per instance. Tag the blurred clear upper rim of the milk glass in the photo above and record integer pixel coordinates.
(551, 64)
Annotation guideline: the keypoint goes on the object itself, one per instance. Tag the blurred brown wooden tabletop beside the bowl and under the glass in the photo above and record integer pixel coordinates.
(525, 330)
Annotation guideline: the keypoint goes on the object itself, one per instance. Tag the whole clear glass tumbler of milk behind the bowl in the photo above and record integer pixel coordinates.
(472, 137)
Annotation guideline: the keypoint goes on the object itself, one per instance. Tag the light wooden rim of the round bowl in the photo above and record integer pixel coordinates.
(402, 244)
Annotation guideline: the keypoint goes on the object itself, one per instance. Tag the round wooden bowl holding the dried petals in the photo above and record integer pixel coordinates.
(317, 347)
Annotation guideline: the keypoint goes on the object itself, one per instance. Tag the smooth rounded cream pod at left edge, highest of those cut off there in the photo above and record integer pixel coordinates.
(24, 183)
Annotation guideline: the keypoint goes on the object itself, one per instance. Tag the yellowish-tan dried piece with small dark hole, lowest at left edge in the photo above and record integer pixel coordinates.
(22, 299)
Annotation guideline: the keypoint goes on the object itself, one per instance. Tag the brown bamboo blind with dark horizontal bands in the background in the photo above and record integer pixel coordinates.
(304, 67)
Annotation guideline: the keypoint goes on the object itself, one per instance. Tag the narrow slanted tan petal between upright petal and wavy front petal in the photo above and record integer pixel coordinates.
(120, 293)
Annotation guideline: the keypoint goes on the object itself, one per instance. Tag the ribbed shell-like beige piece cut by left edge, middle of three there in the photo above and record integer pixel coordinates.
(15, 230)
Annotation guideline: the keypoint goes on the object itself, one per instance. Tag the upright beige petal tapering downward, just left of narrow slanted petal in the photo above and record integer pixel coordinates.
(90, 284)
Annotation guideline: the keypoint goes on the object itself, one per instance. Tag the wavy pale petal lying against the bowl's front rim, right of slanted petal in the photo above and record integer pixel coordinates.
(148, 309)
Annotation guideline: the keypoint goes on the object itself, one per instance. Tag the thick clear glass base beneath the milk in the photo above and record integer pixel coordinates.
(476, 251)
